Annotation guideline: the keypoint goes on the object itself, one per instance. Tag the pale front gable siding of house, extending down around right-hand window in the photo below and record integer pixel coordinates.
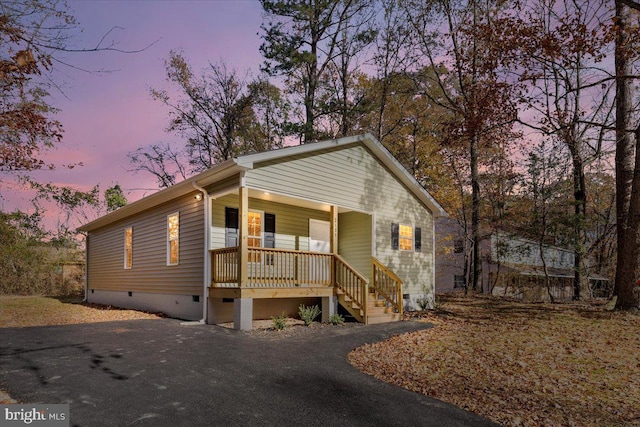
(351, 177)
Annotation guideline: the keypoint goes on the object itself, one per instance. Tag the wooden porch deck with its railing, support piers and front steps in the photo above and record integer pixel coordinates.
(288, 274)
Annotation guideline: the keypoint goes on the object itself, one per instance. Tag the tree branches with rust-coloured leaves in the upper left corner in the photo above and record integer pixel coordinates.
(32, 34)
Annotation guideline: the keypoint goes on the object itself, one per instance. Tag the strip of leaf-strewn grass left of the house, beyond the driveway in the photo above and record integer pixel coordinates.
(23, 311)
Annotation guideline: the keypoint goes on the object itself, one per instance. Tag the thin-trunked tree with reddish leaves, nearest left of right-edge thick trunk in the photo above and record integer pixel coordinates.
(567, 97)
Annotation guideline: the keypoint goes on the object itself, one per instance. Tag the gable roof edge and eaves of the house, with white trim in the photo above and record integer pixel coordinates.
(247, 162)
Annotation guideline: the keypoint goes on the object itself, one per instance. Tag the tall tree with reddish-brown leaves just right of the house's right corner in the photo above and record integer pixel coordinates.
(447, 34)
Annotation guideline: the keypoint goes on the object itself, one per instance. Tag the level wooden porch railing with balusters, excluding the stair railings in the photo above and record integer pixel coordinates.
(268, 268)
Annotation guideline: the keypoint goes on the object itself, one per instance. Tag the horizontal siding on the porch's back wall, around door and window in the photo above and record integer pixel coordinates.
(292, 223)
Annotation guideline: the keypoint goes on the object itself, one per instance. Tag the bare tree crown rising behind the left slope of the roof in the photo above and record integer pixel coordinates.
(218, 114)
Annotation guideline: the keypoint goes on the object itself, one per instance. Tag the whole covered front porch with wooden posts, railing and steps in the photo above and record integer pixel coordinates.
(270, 253)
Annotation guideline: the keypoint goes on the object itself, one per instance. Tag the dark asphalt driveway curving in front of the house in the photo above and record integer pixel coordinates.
(158, 372)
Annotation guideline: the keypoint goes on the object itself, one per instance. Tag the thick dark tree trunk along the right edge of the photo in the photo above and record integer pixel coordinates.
(627, 260)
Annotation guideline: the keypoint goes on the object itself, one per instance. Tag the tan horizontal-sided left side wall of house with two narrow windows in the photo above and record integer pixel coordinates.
(108, 280)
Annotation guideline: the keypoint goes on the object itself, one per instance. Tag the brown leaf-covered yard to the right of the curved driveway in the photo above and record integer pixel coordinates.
(519, 364)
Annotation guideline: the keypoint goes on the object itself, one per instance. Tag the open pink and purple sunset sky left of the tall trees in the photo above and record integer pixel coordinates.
(107, 115)
